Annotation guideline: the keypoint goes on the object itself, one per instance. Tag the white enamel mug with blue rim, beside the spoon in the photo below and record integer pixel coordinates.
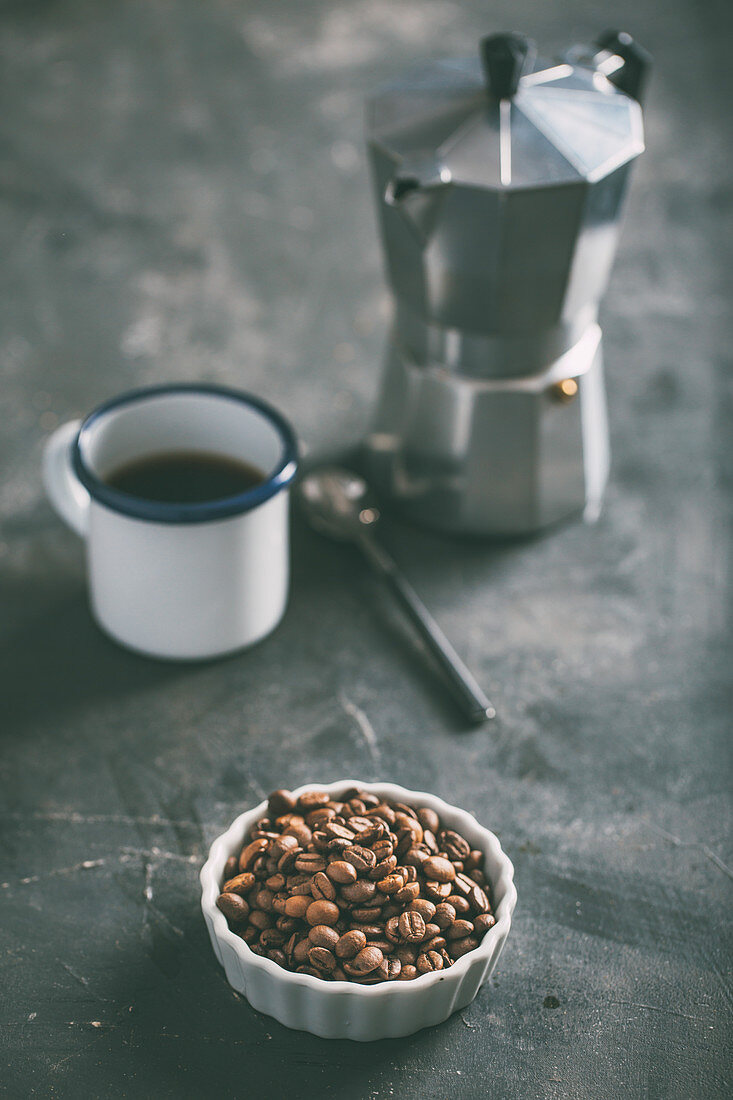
(183, 581)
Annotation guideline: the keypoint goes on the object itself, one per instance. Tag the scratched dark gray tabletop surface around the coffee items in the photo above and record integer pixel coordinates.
(183, 195)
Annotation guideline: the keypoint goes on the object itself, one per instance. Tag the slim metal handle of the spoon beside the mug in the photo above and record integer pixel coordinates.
(467, 692)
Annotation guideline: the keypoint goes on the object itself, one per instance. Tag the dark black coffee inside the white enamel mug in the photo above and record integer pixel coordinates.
(185, 478)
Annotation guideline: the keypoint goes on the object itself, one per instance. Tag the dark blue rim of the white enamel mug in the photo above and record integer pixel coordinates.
(201, 512)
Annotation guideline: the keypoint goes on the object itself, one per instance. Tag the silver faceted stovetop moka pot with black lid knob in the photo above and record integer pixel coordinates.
(499, 185)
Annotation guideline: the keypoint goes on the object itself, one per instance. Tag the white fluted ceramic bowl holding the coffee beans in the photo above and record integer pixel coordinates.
(342, 1009)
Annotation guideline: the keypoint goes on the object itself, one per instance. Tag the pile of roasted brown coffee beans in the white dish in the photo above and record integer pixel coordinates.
(356, 889)
